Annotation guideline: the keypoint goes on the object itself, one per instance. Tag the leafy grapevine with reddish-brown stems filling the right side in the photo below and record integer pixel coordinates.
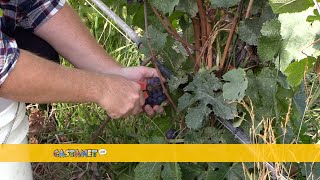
(234, 65)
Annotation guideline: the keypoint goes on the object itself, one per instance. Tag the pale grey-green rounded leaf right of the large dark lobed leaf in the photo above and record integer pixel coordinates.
(234, 89)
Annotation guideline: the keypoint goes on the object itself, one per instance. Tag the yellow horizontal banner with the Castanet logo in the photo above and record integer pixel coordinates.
(159, 153)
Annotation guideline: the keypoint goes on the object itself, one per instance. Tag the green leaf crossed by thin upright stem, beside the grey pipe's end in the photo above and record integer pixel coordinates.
(157, 40)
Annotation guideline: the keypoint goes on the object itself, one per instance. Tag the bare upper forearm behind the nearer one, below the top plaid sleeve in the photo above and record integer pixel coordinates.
(67, 34)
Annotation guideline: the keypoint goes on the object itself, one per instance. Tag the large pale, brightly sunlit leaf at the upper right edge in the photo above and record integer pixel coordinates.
(297, 34)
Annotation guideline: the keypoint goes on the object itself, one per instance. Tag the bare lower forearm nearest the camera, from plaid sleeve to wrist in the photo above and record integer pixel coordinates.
(37, 80)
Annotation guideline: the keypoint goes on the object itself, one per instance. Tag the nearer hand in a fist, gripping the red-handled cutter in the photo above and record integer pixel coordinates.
(121, 97)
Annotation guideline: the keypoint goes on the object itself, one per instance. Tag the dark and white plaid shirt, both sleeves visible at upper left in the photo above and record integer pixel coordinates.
(28, 14)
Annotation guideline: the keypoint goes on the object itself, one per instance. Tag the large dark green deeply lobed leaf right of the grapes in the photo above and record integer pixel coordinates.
(205, 90)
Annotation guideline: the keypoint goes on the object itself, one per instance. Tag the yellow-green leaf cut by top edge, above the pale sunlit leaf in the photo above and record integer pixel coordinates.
(290, 6)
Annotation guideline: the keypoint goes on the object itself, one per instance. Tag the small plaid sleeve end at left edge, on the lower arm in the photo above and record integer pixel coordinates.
(9, 53)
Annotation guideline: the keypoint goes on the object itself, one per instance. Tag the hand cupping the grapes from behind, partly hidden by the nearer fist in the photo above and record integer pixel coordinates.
(142, 73)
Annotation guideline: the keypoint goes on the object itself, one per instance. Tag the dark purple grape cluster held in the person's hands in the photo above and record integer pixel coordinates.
(155, 92)
